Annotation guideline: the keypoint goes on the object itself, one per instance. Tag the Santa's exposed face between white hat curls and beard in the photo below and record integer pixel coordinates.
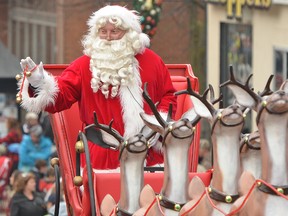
(110, 32)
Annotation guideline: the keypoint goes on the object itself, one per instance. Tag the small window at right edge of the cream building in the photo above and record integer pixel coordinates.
(280, 66)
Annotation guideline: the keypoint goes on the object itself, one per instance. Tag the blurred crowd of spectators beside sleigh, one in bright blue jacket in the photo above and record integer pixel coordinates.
(30, 186)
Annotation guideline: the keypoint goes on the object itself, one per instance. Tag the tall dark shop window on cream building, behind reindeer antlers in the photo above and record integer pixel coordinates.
(236, 50)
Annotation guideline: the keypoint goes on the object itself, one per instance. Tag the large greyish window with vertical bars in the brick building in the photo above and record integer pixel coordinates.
(32, 29)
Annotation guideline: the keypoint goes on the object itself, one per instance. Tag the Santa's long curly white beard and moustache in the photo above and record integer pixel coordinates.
(112, 63)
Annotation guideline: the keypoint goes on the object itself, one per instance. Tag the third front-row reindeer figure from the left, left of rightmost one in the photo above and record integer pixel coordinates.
(226, 126)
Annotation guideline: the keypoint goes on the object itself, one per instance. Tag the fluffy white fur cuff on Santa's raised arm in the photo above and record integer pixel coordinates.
(44, 95)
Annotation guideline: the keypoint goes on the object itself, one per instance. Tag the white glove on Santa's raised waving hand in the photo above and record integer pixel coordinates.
(37, 72)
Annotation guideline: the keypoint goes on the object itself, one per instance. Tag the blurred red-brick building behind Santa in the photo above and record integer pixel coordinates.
(51, 31)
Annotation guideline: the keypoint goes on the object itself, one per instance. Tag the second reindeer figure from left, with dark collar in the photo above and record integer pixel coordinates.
(177, 138)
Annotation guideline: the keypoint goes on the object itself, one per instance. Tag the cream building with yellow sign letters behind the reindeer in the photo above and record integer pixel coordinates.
(253, 37)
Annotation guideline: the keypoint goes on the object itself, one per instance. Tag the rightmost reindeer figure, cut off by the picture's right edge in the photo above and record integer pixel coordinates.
(272, 121)
